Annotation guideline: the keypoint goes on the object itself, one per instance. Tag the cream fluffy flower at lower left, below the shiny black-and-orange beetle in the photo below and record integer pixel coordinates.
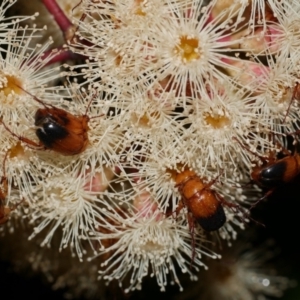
(71, 204)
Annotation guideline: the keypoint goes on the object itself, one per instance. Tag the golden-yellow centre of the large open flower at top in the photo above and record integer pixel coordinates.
(188, 48)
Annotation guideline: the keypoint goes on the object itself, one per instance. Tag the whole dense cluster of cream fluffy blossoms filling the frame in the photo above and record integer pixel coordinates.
(158, 88)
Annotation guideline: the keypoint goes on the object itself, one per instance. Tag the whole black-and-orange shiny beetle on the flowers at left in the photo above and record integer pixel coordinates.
(58, 130)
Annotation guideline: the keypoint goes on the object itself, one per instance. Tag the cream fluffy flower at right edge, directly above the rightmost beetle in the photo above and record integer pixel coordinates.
(274, 98)
